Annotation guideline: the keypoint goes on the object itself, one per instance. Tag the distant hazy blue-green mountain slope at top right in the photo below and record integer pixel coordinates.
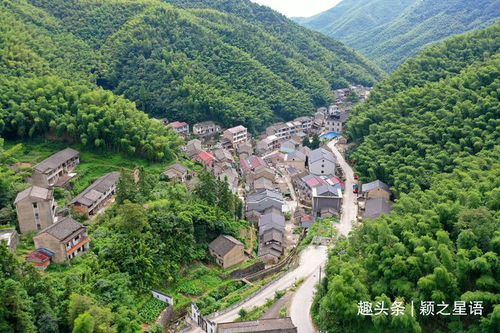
(388, 32)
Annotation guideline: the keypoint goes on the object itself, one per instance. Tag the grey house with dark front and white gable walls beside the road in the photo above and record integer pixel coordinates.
(326, 201)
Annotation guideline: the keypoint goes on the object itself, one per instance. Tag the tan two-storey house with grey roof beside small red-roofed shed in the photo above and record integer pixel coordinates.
(65, 238)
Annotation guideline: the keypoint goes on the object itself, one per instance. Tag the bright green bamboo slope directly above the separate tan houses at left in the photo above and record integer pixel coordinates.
(47, 88)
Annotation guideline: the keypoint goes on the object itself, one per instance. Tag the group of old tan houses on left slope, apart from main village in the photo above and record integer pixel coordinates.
(58, 238)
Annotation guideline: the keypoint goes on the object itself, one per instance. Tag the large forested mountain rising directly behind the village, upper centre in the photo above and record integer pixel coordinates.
(229, 61)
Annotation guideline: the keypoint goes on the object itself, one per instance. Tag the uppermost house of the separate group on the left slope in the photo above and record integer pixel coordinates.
(55, 170)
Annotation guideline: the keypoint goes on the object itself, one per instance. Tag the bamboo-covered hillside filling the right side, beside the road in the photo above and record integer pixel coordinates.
(431, 132)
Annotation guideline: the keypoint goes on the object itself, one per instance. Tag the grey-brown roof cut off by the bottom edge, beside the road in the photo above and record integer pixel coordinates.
(280, 325)
